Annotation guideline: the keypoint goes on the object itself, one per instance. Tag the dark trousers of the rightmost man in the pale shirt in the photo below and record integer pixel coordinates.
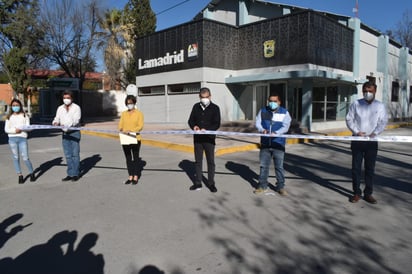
(363, 150)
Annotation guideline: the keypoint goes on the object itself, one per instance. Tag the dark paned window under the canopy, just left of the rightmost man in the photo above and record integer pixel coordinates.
(325, 102)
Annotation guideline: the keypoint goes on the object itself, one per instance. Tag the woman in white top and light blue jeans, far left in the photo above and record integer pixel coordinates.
(16, 120)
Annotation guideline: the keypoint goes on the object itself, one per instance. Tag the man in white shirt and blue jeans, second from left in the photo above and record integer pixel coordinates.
(69, 115)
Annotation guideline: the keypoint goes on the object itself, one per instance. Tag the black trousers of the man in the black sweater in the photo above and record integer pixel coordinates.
(209, 150)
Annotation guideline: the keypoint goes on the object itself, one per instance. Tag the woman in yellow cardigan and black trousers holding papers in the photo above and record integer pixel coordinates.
(130, 124)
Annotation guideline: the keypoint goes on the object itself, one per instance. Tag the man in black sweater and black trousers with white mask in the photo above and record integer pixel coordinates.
(204, 116)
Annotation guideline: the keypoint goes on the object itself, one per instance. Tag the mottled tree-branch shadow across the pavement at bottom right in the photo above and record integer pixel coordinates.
(295, 237)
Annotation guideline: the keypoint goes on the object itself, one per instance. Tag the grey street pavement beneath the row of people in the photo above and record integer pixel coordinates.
(99, 225)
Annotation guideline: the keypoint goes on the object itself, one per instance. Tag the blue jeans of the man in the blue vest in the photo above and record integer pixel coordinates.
(265, 156)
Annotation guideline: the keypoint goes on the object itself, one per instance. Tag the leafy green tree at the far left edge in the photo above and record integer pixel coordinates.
(20, 34)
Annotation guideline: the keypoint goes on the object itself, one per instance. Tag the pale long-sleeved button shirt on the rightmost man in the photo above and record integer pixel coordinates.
(365, 117)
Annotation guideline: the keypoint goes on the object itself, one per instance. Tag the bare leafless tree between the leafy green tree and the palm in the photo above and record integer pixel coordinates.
(72, 35)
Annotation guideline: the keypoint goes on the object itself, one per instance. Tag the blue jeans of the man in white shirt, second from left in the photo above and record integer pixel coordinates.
(71, 148)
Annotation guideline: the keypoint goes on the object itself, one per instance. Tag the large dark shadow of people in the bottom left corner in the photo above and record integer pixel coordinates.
(50, 257)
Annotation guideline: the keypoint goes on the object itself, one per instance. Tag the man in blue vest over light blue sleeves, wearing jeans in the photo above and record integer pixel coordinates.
(273, 120)
